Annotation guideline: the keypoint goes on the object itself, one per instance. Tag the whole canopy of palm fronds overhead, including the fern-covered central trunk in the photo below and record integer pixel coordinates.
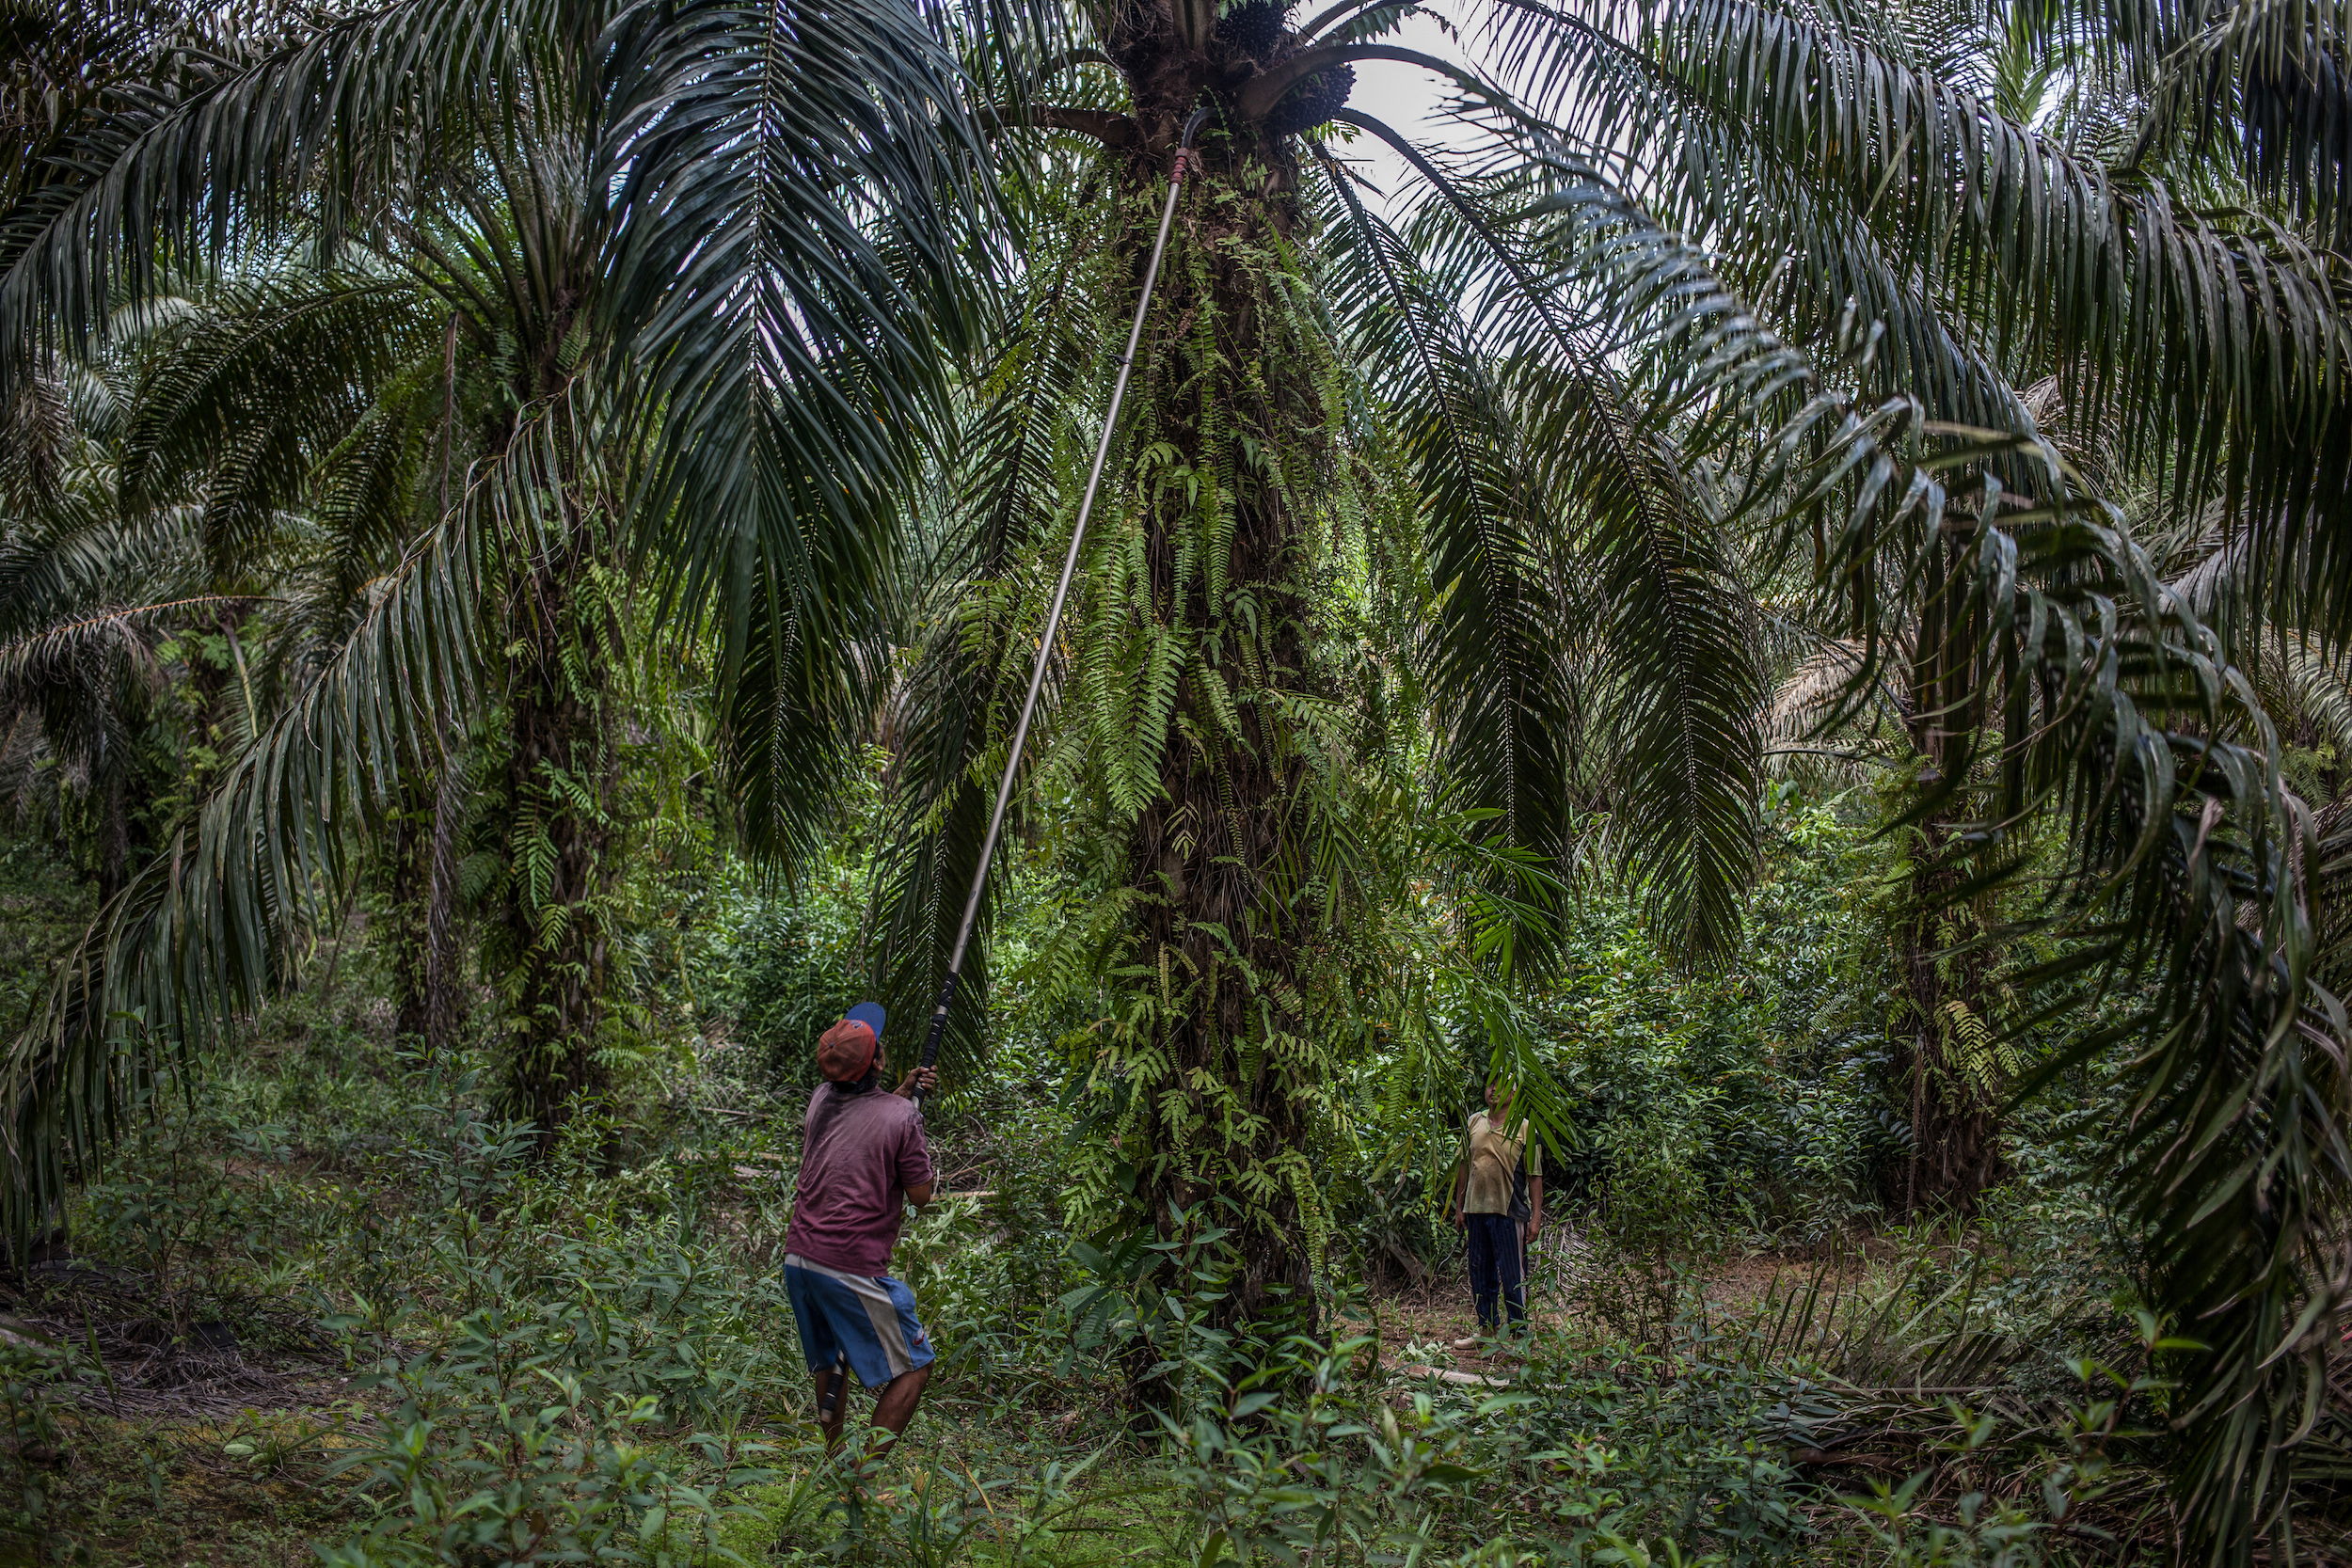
(1953, 382)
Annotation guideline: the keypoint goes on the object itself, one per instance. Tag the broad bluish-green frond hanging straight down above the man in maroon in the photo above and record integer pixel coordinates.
(789, 276)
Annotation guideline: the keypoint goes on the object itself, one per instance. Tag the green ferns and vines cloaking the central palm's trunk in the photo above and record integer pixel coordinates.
(1203, 678)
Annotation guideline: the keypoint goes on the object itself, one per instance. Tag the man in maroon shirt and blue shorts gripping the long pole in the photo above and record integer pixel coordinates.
(862, 1165)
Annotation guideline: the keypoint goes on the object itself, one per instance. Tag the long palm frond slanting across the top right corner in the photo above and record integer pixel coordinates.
(2210, 342)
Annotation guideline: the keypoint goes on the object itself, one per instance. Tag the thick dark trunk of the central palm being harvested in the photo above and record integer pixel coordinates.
(1229, 1123)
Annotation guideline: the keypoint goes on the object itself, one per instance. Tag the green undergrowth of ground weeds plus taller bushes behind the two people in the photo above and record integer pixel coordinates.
(323, 1304)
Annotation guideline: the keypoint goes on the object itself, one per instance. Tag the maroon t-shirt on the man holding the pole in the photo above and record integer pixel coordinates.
(860, 1158)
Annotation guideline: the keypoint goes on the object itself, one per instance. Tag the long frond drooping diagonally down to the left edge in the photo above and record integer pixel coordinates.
(213, 927)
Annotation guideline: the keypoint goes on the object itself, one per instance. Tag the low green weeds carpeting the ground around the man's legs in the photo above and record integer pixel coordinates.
(587, 1358)
